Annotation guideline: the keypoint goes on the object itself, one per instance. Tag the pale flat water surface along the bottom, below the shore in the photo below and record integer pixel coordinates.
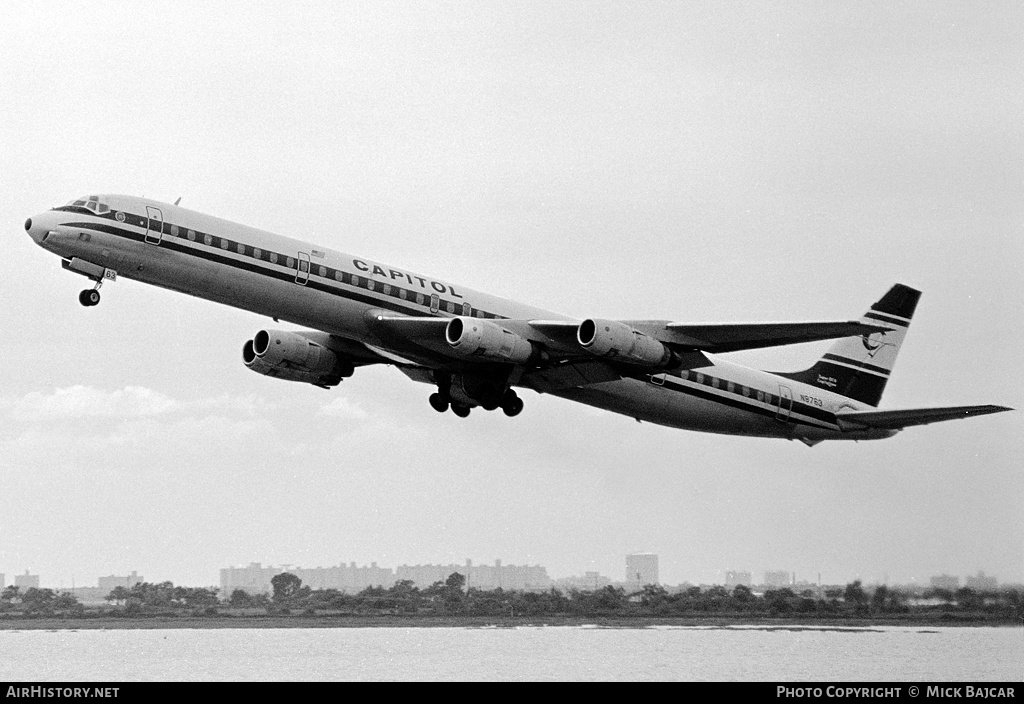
(574, 653)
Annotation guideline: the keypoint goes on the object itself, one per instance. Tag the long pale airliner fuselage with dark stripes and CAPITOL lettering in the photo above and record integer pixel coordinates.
(333, 292)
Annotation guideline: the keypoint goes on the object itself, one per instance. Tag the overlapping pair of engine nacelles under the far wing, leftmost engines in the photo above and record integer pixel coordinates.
(294, 358)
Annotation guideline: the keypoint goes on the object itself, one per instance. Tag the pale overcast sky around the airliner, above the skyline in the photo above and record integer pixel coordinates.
(704, 162)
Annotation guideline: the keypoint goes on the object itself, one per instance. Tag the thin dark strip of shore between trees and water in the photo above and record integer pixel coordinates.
(395, 622)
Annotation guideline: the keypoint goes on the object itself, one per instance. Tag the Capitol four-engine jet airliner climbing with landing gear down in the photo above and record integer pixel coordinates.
(477, 348)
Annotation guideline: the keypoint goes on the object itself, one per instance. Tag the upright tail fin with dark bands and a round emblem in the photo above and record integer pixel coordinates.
(859, 368)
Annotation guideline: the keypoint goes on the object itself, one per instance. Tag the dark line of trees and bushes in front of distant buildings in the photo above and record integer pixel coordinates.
(451, 598)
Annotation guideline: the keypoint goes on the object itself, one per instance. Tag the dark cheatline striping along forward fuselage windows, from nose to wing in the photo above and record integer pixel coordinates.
(250, 265)
